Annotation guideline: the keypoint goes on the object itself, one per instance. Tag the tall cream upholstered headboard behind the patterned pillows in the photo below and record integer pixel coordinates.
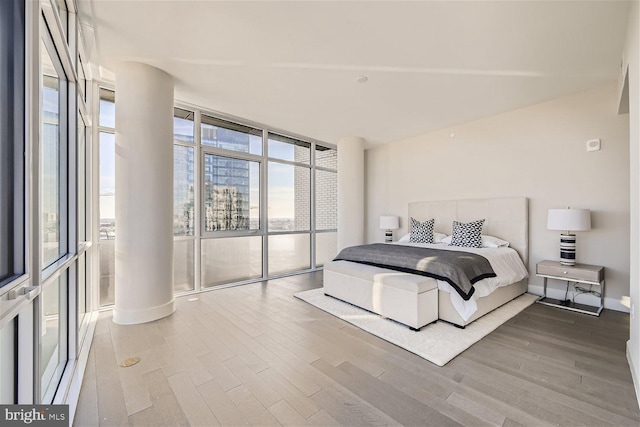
(506, 218)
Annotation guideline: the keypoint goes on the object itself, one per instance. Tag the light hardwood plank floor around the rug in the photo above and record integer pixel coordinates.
(256, 355)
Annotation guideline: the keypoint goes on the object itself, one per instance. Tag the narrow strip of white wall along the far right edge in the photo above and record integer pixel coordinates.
(631, 59)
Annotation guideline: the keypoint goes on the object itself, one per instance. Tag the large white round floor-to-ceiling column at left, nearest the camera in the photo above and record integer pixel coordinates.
(144, 185)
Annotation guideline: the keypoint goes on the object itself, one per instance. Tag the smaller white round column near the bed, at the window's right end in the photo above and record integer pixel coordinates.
(351, 221)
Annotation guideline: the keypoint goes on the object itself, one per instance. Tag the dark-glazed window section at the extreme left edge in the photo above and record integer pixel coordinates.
(14, 345)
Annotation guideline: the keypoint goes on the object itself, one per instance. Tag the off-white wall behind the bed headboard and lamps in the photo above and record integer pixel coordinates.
(538, 152)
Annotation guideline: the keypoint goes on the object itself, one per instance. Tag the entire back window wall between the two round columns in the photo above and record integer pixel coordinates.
(245, 202)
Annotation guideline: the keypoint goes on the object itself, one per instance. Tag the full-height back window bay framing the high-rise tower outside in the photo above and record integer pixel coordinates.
(232, 242)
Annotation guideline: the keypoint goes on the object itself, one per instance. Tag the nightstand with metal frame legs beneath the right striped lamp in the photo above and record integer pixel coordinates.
(579, 273)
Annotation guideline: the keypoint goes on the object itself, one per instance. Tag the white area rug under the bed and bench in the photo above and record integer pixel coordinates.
(438, 342)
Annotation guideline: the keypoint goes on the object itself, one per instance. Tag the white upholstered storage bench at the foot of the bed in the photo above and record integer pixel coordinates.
(406, 298)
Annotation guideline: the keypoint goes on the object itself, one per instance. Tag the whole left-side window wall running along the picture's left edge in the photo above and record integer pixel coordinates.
(44, 241)
